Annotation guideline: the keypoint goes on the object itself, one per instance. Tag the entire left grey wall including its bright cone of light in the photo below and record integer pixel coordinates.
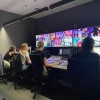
(16, 33)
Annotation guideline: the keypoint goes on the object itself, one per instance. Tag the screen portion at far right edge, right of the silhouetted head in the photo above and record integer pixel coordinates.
(96, 35)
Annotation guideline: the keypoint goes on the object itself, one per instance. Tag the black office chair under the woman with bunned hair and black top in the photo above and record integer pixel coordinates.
(38, 77)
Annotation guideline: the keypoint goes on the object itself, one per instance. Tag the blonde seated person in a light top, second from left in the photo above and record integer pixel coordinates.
(24, 55)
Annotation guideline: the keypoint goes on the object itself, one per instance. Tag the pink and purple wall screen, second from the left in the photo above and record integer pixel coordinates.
(62, 39)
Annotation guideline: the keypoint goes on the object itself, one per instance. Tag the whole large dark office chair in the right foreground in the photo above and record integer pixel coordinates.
(85, 77)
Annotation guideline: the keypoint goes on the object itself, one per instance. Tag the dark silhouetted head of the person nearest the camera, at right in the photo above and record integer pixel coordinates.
(87, 44)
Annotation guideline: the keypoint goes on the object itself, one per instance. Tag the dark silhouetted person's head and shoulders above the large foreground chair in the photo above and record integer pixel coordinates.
(87, 50)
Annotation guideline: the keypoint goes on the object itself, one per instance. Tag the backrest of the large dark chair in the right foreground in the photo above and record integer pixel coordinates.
(84, 69)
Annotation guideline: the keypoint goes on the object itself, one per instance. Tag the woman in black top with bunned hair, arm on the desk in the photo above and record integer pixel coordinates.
(39, 50)
